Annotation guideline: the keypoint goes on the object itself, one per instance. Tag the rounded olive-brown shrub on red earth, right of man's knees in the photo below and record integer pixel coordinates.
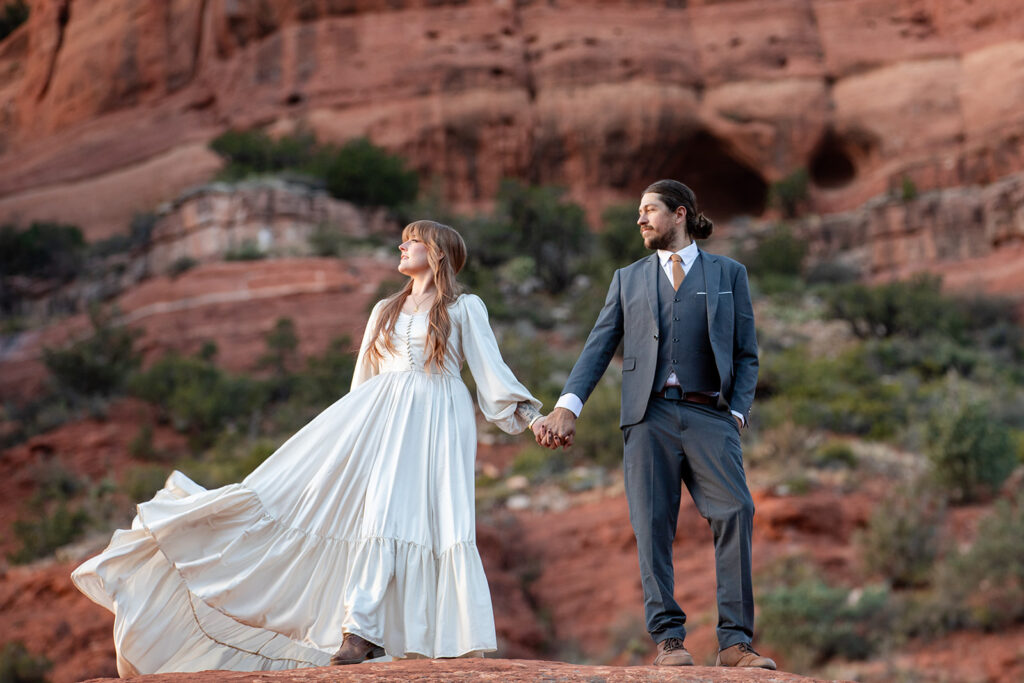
(902, 541)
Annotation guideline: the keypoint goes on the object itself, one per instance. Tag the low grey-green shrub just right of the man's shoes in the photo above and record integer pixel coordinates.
(814, 622)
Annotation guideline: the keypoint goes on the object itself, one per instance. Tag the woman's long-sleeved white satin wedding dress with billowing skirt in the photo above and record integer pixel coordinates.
(364, 522)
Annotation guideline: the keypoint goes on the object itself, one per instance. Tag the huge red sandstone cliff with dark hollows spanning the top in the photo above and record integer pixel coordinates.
(108, 105)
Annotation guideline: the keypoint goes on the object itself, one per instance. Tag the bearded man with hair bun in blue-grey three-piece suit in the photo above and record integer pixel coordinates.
(690, 369)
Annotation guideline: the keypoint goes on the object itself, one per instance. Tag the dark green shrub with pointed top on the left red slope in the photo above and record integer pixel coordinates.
(99, 365)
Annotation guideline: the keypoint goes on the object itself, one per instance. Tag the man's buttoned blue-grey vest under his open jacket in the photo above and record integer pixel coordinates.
(684, 345)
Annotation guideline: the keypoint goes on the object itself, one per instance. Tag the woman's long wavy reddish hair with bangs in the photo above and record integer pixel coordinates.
(447, 255)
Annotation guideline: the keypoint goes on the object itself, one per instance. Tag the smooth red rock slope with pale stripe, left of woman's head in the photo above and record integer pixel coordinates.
(234, 305)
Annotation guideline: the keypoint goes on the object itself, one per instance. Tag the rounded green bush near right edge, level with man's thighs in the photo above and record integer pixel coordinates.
(972, 454)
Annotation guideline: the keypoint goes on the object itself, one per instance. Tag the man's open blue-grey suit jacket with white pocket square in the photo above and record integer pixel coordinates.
(630, 315)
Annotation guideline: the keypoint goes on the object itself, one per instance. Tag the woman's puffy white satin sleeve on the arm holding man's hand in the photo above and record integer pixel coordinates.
(498, 392)
